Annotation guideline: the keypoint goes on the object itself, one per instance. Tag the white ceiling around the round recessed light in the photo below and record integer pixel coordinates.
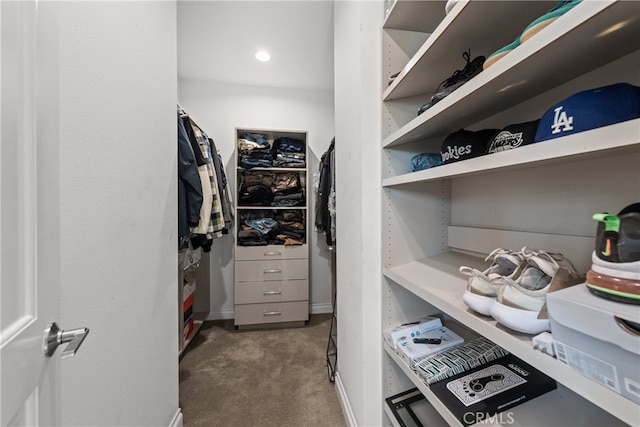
(217, 41)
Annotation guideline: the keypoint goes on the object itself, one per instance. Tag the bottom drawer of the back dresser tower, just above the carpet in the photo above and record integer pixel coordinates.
(251, 314)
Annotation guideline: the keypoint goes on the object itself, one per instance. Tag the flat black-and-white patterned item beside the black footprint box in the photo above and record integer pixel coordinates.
(456, 360)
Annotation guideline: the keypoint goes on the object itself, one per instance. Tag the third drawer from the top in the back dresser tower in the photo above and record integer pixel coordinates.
(273, 291)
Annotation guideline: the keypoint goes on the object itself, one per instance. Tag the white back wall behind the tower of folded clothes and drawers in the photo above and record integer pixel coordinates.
(219, 108)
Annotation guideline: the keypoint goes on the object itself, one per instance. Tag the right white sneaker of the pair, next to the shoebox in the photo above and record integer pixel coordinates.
(520, 301)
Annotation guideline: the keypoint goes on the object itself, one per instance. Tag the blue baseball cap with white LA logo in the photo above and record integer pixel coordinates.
(590, 109)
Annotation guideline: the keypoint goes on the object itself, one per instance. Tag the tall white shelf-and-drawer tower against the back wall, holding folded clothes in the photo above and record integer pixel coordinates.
(271, 284)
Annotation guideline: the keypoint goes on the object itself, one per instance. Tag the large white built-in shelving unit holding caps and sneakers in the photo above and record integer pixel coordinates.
(542, 195)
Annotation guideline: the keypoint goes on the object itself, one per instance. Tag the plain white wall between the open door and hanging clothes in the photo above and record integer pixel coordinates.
(118, 201)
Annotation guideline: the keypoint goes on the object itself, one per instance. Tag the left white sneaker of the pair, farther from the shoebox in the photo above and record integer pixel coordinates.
(482, 286)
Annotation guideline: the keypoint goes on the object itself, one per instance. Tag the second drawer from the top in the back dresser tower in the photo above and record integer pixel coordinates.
(262, 271)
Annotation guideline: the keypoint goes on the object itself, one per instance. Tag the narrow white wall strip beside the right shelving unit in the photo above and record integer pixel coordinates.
(357, 92)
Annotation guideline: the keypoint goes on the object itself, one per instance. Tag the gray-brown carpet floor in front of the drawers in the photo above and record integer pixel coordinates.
(259, 378)
